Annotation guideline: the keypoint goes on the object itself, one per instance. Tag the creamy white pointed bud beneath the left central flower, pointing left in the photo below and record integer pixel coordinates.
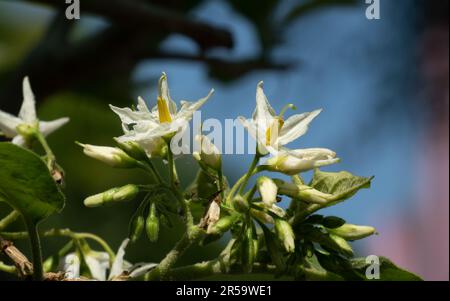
(112, 156)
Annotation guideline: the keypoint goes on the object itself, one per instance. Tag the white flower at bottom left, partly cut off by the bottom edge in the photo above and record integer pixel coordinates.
(99, 264)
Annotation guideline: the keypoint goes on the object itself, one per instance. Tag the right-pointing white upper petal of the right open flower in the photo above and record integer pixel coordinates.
(296, 126)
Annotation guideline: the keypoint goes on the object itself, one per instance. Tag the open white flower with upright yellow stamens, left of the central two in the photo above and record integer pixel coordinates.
(149, 127)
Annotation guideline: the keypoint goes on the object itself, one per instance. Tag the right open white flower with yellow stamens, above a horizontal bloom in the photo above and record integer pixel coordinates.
(270, 130)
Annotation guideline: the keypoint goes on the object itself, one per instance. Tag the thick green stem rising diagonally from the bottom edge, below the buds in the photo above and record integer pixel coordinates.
(162, 270)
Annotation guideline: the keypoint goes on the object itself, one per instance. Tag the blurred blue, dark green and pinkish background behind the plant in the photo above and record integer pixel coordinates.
(383, 85)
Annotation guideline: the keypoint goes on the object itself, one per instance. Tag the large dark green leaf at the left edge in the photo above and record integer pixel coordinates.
(26, 183)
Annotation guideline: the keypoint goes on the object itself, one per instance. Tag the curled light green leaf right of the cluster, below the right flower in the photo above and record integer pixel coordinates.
(342, 185)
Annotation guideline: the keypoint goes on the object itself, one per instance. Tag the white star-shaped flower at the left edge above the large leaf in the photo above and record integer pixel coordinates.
(27, 116)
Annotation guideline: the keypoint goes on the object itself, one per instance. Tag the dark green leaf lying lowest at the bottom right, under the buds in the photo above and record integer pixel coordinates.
(388, 270)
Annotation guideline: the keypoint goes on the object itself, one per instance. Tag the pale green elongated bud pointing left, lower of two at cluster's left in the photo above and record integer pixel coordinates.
(117, 194)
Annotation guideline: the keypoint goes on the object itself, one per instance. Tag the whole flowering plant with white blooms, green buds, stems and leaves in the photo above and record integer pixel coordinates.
(292, 240)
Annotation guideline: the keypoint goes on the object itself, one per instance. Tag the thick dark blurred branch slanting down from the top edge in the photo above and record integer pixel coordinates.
(140, 14)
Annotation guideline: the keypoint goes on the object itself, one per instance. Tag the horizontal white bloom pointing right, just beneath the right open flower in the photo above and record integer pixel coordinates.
(292, 162)
